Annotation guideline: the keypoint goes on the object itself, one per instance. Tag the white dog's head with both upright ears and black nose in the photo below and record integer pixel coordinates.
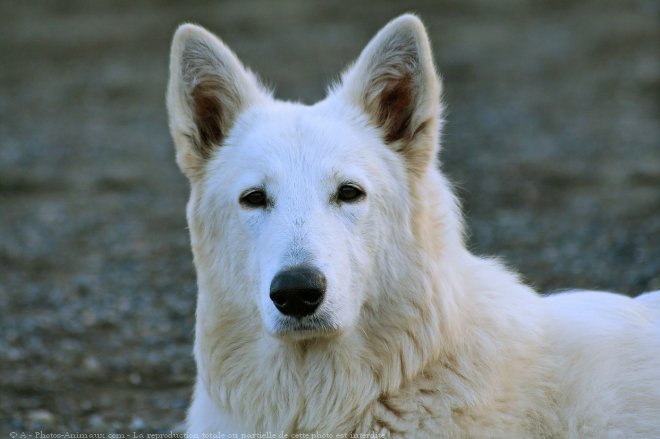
(293, 207)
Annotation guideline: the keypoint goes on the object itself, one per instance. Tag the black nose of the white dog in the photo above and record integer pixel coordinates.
(298, 291)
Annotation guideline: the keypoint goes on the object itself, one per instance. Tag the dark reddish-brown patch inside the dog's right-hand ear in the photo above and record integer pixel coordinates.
(394, 108)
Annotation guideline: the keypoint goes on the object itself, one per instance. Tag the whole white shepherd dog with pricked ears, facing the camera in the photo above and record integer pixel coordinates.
(336, 294)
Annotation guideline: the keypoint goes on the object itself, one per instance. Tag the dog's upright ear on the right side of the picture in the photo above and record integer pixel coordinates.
(394, 82)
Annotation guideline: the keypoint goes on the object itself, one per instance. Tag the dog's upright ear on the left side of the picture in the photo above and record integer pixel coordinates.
(207, 90)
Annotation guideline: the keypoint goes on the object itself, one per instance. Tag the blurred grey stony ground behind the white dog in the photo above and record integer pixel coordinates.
(552, 138)
